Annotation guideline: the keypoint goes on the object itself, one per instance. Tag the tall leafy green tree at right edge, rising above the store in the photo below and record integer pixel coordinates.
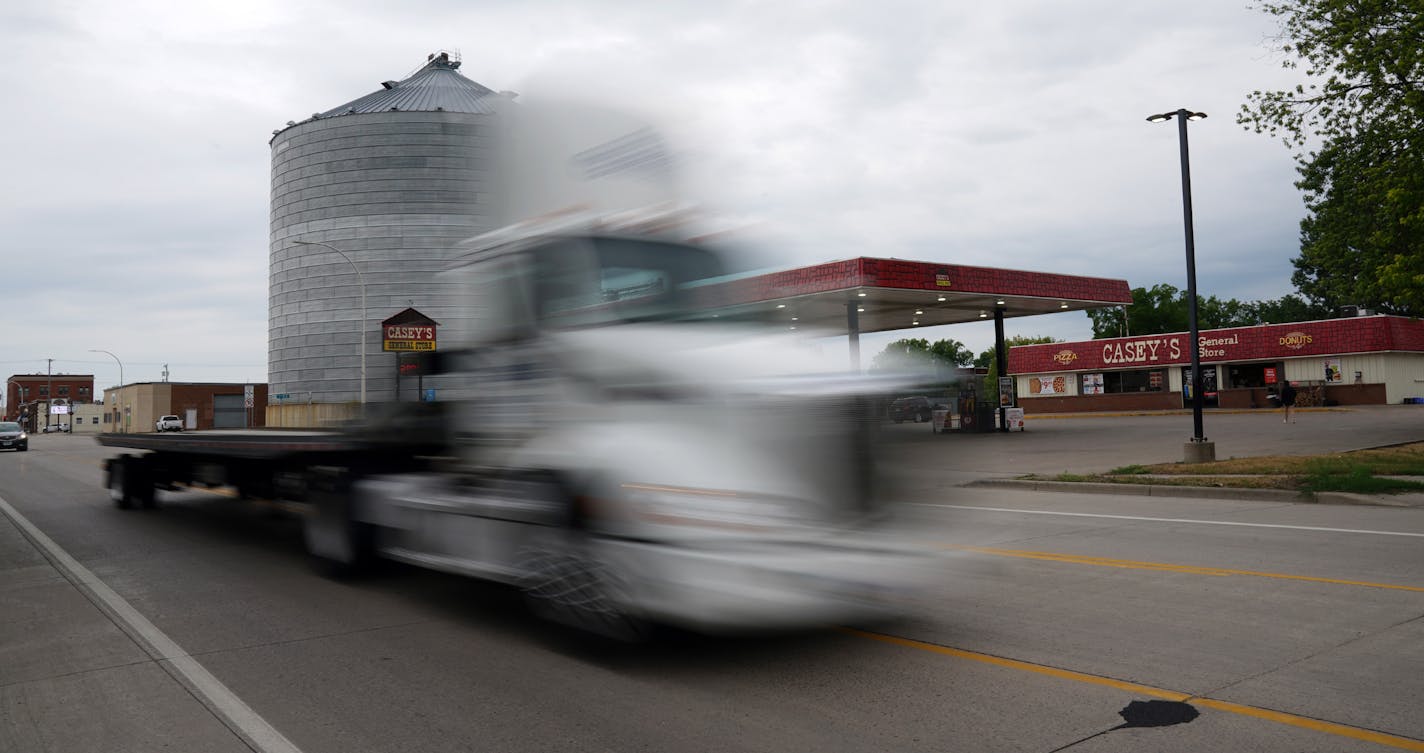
(1363, 109)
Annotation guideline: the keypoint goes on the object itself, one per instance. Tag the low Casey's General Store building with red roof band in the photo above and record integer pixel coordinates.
(1346, 362)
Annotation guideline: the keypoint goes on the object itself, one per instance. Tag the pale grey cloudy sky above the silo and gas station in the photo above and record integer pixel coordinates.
(135, 217)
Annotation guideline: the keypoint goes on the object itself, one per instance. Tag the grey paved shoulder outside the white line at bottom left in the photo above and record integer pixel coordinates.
(75, 678)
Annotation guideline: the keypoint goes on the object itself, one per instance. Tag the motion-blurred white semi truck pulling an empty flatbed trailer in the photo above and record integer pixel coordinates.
(606, 441)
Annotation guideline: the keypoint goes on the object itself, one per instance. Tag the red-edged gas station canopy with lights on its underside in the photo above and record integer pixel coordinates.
(875, 295)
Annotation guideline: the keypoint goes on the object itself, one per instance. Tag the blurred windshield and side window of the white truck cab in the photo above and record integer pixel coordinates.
(602, 281)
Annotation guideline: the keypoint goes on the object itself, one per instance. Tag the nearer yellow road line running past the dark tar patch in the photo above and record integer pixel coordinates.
(1282, 718)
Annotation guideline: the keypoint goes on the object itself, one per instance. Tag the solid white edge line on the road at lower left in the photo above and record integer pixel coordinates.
(223, 702)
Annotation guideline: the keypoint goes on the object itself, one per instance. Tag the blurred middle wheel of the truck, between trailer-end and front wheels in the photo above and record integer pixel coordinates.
(340, 546)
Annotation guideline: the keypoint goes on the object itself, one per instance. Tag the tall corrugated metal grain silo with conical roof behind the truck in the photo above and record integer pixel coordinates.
(384, 186)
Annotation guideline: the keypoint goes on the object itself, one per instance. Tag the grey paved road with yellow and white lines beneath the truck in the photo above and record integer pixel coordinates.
(1257, 627)
